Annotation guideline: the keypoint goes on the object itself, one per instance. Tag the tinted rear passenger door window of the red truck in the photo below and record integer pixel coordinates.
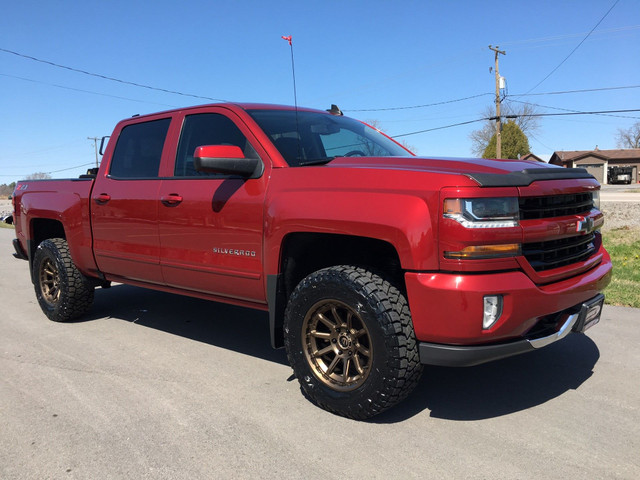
(139, 150)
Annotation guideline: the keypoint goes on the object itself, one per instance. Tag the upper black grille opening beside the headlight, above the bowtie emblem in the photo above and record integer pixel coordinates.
(532, 208)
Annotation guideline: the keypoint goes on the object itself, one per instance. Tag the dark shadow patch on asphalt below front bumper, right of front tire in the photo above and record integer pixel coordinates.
(501, 387)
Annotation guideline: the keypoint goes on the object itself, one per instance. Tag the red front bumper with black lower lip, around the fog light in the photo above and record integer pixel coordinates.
(447, 311)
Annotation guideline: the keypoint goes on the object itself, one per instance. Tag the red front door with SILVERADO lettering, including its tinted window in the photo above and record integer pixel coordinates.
(210, 225)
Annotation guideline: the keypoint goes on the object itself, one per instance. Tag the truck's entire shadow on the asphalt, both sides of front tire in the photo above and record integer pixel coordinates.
(472, 393)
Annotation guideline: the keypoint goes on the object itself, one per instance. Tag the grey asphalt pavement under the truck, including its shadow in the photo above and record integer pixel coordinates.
(152, 385)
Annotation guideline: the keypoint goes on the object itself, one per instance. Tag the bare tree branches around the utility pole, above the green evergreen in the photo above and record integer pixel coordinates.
(525, 119)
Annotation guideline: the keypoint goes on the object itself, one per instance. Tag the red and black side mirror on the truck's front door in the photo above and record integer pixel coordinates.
(226, 159)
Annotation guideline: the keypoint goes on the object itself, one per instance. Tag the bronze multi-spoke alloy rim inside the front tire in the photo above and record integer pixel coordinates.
(337, 345)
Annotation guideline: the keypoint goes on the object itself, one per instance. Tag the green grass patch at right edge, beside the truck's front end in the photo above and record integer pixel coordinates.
(623, 245)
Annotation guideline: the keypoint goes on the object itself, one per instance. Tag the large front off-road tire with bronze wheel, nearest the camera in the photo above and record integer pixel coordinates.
(380, 332)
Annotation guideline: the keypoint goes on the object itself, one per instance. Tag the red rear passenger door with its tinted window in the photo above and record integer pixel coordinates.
(125, 204)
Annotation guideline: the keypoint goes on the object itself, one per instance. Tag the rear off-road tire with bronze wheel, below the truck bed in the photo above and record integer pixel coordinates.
(62, 291)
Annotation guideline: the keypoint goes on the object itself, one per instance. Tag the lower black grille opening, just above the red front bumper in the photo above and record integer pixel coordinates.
(558, 253)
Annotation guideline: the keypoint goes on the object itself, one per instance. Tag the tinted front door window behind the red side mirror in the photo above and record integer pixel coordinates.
(207, 129)
